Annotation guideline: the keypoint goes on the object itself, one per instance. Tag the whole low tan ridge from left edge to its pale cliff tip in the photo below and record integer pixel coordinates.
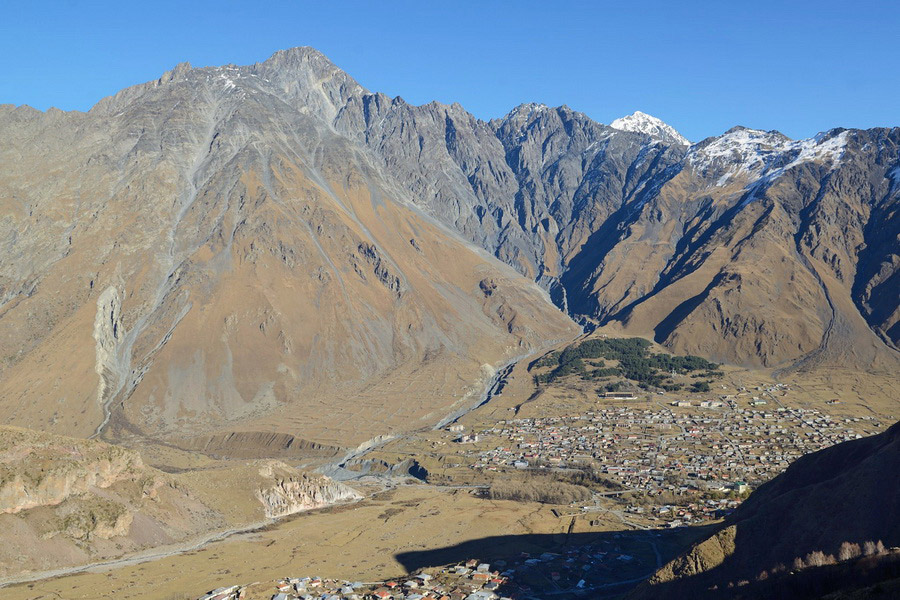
(66, 501)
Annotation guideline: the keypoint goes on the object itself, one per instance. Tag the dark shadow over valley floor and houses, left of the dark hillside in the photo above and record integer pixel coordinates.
(561, 565)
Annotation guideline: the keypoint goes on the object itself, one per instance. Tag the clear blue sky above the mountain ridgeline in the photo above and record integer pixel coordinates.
(796, 66)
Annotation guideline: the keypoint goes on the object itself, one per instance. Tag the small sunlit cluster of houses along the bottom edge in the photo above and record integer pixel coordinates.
(472, 580)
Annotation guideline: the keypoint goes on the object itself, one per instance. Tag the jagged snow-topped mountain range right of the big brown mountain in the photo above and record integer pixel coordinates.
(749, 248)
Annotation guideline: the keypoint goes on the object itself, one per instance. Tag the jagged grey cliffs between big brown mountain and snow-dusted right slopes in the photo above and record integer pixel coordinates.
(531, 187)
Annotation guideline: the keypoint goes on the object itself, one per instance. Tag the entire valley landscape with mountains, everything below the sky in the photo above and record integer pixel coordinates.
(235, 294)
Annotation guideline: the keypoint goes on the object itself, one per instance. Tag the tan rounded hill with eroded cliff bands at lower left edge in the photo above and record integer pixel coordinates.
(64, 501)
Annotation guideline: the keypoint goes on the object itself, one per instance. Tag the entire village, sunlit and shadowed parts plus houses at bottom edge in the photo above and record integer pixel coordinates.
(670, 463)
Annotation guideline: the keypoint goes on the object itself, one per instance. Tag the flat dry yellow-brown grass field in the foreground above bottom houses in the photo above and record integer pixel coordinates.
(359, 542)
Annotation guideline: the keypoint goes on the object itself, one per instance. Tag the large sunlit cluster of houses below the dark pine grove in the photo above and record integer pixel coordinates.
(716, 446)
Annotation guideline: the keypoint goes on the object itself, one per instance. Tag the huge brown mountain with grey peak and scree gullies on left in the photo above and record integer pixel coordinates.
(206, 253)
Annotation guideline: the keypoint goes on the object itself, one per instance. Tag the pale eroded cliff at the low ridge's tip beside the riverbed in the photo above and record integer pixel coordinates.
(293, 491)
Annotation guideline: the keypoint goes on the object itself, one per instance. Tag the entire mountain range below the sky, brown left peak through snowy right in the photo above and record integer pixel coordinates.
(275, 248)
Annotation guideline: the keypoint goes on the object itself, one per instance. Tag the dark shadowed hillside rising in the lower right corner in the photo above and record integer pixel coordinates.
(852, 487)
